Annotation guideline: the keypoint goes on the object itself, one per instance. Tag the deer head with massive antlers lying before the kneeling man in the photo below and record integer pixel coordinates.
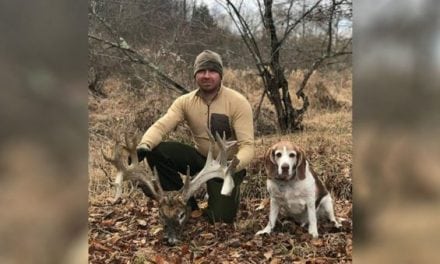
(173, 209)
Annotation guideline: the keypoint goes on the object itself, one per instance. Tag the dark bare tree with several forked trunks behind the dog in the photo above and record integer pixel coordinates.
(270, 68)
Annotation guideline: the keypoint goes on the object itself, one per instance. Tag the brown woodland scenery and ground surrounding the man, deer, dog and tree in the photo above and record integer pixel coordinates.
(125, 95)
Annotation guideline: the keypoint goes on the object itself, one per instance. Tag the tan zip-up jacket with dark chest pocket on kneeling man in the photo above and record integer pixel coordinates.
(229, 113)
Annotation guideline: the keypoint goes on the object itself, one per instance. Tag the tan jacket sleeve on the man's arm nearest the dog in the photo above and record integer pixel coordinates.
(244, 130)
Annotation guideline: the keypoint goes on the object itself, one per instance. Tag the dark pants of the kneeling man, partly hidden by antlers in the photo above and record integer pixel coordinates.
(169, 158)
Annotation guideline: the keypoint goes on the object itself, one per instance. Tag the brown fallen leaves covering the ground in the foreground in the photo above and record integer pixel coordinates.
(130, 232)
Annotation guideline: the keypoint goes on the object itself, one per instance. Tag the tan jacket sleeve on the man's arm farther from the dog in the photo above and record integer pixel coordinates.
(165, 124)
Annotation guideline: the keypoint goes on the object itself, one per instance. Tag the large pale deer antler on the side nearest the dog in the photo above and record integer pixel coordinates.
(214, 168)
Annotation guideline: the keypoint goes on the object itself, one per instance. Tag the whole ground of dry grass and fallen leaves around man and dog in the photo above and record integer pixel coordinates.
(130, 231)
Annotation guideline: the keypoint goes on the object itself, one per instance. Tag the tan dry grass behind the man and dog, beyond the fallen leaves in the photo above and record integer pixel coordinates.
(326, 136)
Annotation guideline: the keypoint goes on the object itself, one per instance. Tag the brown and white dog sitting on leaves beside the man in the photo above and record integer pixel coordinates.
(295, 189)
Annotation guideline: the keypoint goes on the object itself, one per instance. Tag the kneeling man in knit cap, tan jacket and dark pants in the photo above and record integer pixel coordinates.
(212, 105)
